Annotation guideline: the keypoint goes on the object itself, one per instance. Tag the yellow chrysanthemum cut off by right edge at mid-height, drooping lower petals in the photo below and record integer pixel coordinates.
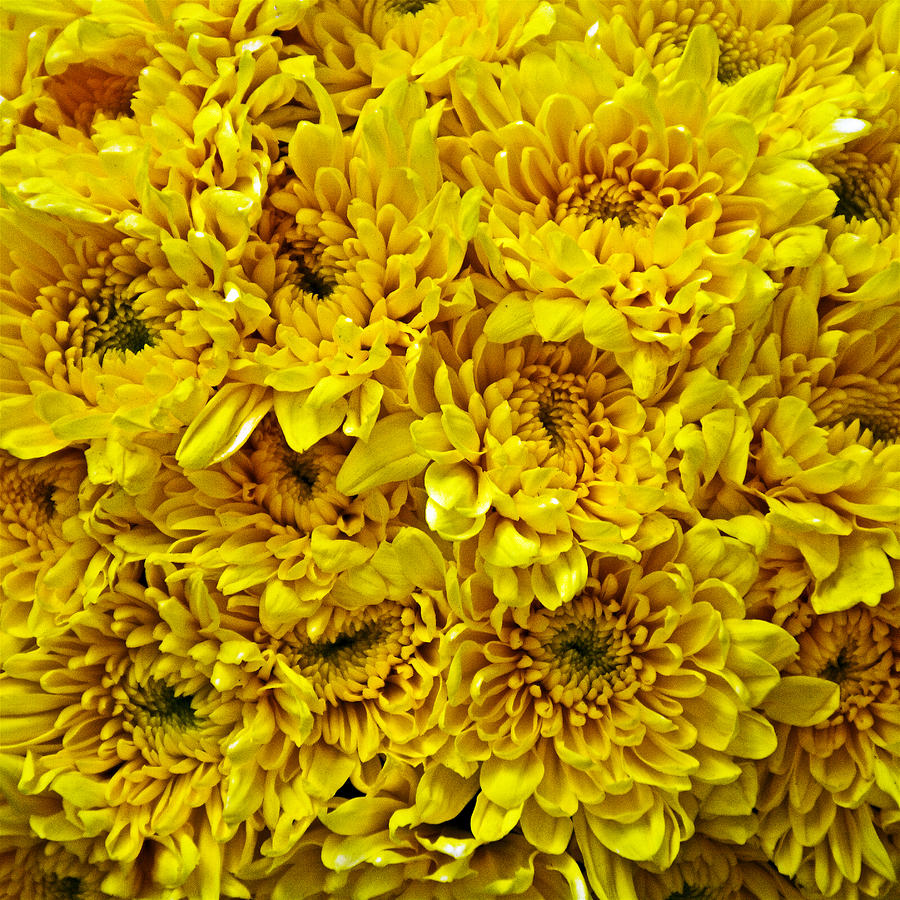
(824, 388)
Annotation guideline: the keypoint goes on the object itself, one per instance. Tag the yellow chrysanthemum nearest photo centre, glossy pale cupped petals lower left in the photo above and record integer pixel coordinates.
(537, 454)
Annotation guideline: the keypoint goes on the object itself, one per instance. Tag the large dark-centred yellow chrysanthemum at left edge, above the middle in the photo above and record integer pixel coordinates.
(102, 342)
